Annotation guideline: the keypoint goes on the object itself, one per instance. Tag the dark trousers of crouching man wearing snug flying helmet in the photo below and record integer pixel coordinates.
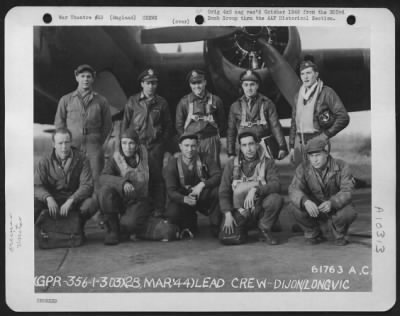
(133, 213)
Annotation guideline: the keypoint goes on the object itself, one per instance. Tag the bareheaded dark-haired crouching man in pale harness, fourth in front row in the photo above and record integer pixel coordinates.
(249, 194)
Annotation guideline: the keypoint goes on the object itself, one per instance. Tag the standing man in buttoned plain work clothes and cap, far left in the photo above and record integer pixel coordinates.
(87, 115)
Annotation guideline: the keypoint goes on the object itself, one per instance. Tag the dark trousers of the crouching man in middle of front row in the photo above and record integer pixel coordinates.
(185, 215)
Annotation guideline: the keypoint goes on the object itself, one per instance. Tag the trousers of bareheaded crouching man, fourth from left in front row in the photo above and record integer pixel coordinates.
(264, 216)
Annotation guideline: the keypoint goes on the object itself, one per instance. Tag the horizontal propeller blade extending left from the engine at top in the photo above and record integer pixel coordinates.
(183, 34)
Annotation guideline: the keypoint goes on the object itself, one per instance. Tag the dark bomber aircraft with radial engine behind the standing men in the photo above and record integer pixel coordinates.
(120, 53)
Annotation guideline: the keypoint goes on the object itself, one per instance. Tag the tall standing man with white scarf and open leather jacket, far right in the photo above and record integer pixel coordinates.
(318, 112)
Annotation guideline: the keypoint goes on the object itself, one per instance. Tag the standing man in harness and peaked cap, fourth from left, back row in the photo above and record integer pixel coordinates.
(256, 113)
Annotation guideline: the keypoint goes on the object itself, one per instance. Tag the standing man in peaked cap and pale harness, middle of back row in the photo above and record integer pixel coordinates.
(203, 114)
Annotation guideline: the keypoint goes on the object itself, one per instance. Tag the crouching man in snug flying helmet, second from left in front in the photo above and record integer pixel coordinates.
(124, 189)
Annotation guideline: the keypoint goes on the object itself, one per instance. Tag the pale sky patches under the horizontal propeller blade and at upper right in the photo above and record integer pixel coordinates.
(311, 38)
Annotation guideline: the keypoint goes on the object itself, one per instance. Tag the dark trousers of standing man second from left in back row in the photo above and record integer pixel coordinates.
(156, 180)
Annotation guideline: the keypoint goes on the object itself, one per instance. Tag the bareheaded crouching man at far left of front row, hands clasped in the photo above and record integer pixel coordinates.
(63, 180)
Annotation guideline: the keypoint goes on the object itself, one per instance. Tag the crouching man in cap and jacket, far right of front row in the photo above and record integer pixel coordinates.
(321, 190)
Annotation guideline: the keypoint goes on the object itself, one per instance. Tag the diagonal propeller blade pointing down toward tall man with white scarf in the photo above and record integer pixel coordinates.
(281, 72)
